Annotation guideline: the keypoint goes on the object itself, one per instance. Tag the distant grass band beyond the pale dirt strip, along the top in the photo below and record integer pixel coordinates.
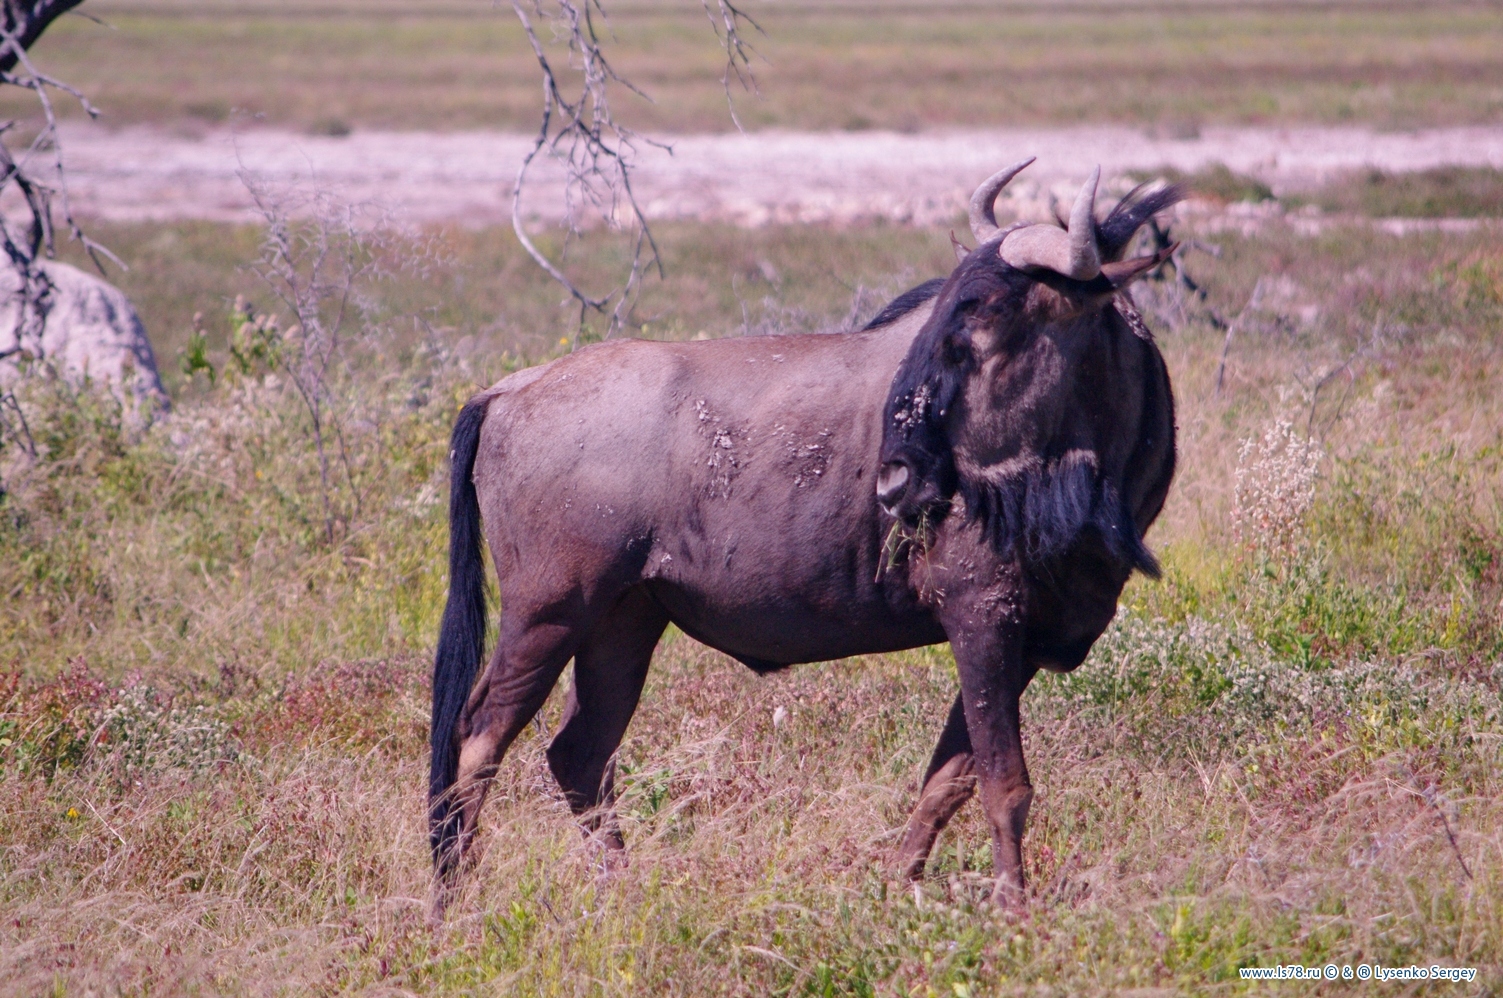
(450, 67)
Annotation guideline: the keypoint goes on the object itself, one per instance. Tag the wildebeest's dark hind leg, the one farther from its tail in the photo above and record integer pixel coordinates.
(609, 671)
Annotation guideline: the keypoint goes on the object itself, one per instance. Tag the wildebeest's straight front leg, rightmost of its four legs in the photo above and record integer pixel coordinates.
(987, 632)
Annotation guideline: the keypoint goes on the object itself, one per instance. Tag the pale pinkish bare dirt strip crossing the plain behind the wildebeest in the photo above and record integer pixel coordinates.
(467, 178)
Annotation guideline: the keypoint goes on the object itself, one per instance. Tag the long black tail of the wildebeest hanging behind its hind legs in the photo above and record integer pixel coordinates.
(462, 638)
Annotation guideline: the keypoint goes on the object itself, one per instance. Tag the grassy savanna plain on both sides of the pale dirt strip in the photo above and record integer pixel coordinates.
(214, 646)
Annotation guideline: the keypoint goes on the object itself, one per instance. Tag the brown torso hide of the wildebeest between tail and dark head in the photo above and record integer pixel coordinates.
(731, 479)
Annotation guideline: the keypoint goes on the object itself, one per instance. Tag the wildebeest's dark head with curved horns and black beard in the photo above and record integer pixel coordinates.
(1024, 395)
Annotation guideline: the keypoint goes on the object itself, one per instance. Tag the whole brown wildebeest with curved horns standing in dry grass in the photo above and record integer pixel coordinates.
(978, 465)
